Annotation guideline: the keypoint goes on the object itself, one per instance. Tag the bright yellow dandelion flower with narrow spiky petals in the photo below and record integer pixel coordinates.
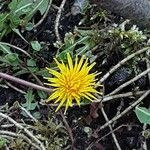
(72, 82)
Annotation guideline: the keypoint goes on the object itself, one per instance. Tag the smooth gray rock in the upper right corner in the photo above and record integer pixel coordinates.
(138, 11)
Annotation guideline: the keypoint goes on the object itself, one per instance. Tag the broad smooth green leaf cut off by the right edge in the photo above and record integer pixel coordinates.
(143, 114)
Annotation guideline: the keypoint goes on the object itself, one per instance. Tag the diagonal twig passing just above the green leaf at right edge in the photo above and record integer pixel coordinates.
(125, 111)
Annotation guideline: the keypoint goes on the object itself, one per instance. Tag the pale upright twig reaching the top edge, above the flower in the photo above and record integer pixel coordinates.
(58, 19)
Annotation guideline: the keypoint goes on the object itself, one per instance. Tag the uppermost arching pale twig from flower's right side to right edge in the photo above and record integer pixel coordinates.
(121, 63)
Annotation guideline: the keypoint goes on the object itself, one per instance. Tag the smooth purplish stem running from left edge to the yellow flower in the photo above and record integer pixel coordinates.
(25, 83)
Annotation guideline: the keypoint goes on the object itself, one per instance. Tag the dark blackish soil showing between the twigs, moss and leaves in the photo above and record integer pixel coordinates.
(130, 134)
